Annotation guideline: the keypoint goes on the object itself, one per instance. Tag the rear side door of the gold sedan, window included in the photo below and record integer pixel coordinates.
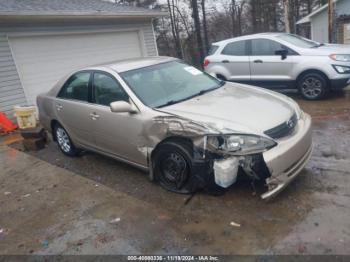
(73, 108)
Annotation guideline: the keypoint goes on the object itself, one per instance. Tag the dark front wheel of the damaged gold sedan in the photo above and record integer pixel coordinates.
(172, 165)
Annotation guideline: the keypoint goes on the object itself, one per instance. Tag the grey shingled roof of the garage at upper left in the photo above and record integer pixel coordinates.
(73, 8)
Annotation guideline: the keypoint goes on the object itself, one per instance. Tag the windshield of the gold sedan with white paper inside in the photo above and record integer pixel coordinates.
(168, 83)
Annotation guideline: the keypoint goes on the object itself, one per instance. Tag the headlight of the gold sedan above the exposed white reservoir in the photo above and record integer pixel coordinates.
(241, 144)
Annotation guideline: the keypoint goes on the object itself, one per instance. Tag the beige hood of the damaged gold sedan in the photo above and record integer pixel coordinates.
(236, 108)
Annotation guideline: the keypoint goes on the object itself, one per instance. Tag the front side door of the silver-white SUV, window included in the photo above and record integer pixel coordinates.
(267, 68)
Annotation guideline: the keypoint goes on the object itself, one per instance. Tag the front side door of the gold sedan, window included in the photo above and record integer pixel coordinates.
(117, 134)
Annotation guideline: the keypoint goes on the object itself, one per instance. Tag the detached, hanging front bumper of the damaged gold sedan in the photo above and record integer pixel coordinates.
(288, 158)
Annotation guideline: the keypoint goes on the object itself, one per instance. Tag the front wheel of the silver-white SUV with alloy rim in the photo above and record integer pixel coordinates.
(313, 86)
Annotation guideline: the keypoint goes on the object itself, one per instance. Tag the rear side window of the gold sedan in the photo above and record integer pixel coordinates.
(77, 87)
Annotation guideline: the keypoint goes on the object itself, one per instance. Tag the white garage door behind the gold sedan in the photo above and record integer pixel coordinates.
(43, 60)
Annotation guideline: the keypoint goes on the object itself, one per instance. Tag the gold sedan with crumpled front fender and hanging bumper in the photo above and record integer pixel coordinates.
(188, 129)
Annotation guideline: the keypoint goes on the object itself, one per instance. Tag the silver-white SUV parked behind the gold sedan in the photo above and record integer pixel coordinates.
(281, 61)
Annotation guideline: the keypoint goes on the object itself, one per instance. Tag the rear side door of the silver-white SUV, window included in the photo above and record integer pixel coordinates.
(235, 59)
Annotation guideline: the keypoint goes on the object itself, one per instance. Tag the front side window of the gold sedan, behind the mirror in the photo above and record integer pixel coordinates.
(107, 90)
